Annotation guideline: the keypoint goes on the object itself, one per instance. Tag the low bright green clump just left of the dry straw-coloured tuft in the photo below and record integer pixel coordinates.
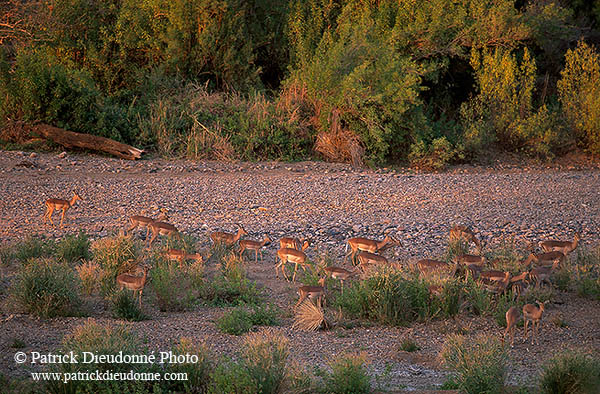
(240, 320)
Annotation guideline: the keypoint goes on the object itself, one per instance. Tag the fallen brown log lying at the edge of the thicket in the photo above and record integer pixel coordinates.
(70, 139)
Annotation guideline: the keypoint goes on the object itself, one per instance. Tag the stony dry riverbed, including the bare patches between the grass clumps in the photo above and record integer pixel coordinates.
(328, 203)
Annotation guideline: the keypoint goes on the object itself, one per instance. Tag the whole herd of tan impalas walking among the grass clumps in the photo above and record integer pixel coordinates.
(538, 268)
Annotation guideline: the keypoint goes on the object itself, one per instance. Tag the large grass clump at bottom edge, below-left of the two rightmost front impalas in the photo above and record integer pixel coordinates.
(480, 363)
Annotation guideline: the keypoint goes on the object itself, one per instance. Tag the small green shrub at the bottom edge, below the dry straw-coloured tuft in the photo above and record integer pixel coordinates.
(348, 375)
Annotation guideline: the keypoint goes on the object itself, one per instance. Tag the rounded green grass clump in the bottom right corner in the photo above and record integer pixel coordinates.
(571, 373)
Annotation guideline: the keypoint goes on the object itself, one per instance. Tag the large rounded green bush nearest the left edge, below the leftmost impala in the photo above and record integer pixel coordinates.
(47, 288)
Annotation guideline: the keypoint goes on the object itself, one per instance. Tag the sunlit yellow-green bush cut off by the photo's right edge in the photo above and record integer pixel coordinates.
(579, 94)
